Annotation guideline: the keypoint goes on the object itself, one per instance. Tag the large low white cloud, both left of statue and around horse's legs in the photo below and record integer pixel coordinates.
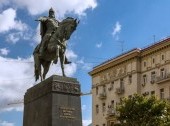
(17, 75)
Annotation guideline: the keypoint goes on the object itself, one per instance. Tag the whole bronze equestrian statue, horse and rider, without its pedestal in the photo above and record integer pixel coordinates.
(54, 36)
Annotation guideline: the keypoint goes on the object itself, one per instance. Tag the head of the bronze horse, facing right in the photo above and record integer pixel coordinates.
(69, 26)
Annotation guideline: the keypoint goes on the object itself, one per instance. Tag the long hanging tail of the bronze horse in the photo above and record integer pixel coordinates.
(37, 67)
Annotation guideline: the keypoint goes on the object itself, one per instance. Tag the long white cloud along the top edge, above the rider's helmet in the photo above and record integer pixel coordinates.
(62, 6)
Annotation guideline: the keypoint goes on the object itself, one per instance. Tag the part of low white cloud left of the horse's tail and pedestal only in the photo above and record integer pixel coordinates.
(16, 77)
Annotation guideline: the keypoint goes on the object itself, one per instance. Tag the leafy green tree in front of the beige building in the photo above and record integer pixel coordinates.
(142, 111)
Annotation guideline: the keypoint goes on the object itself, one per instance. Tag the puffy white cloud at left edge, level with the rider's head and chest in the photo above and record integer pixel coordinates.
(8, 21)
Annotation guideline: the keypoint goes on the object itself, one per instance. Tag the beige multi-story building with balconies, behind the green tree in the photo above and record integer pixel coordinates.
(144, 71)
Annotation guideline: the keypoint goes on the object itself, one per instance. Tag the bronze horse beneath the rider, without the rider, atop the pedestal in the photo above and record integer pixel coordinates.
(56, 43)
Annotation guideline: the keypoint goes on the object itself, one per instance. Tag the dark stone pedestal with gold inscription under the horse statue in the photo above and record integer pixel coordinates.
(53, 102)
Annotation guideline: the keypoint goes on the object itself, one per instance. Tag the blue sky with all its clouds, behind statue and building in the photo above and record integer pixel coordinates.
(106, 29)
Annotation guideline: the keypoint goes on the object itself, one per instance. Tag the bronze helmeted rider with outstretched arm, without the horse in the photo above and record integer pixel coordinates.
(48, 26)
